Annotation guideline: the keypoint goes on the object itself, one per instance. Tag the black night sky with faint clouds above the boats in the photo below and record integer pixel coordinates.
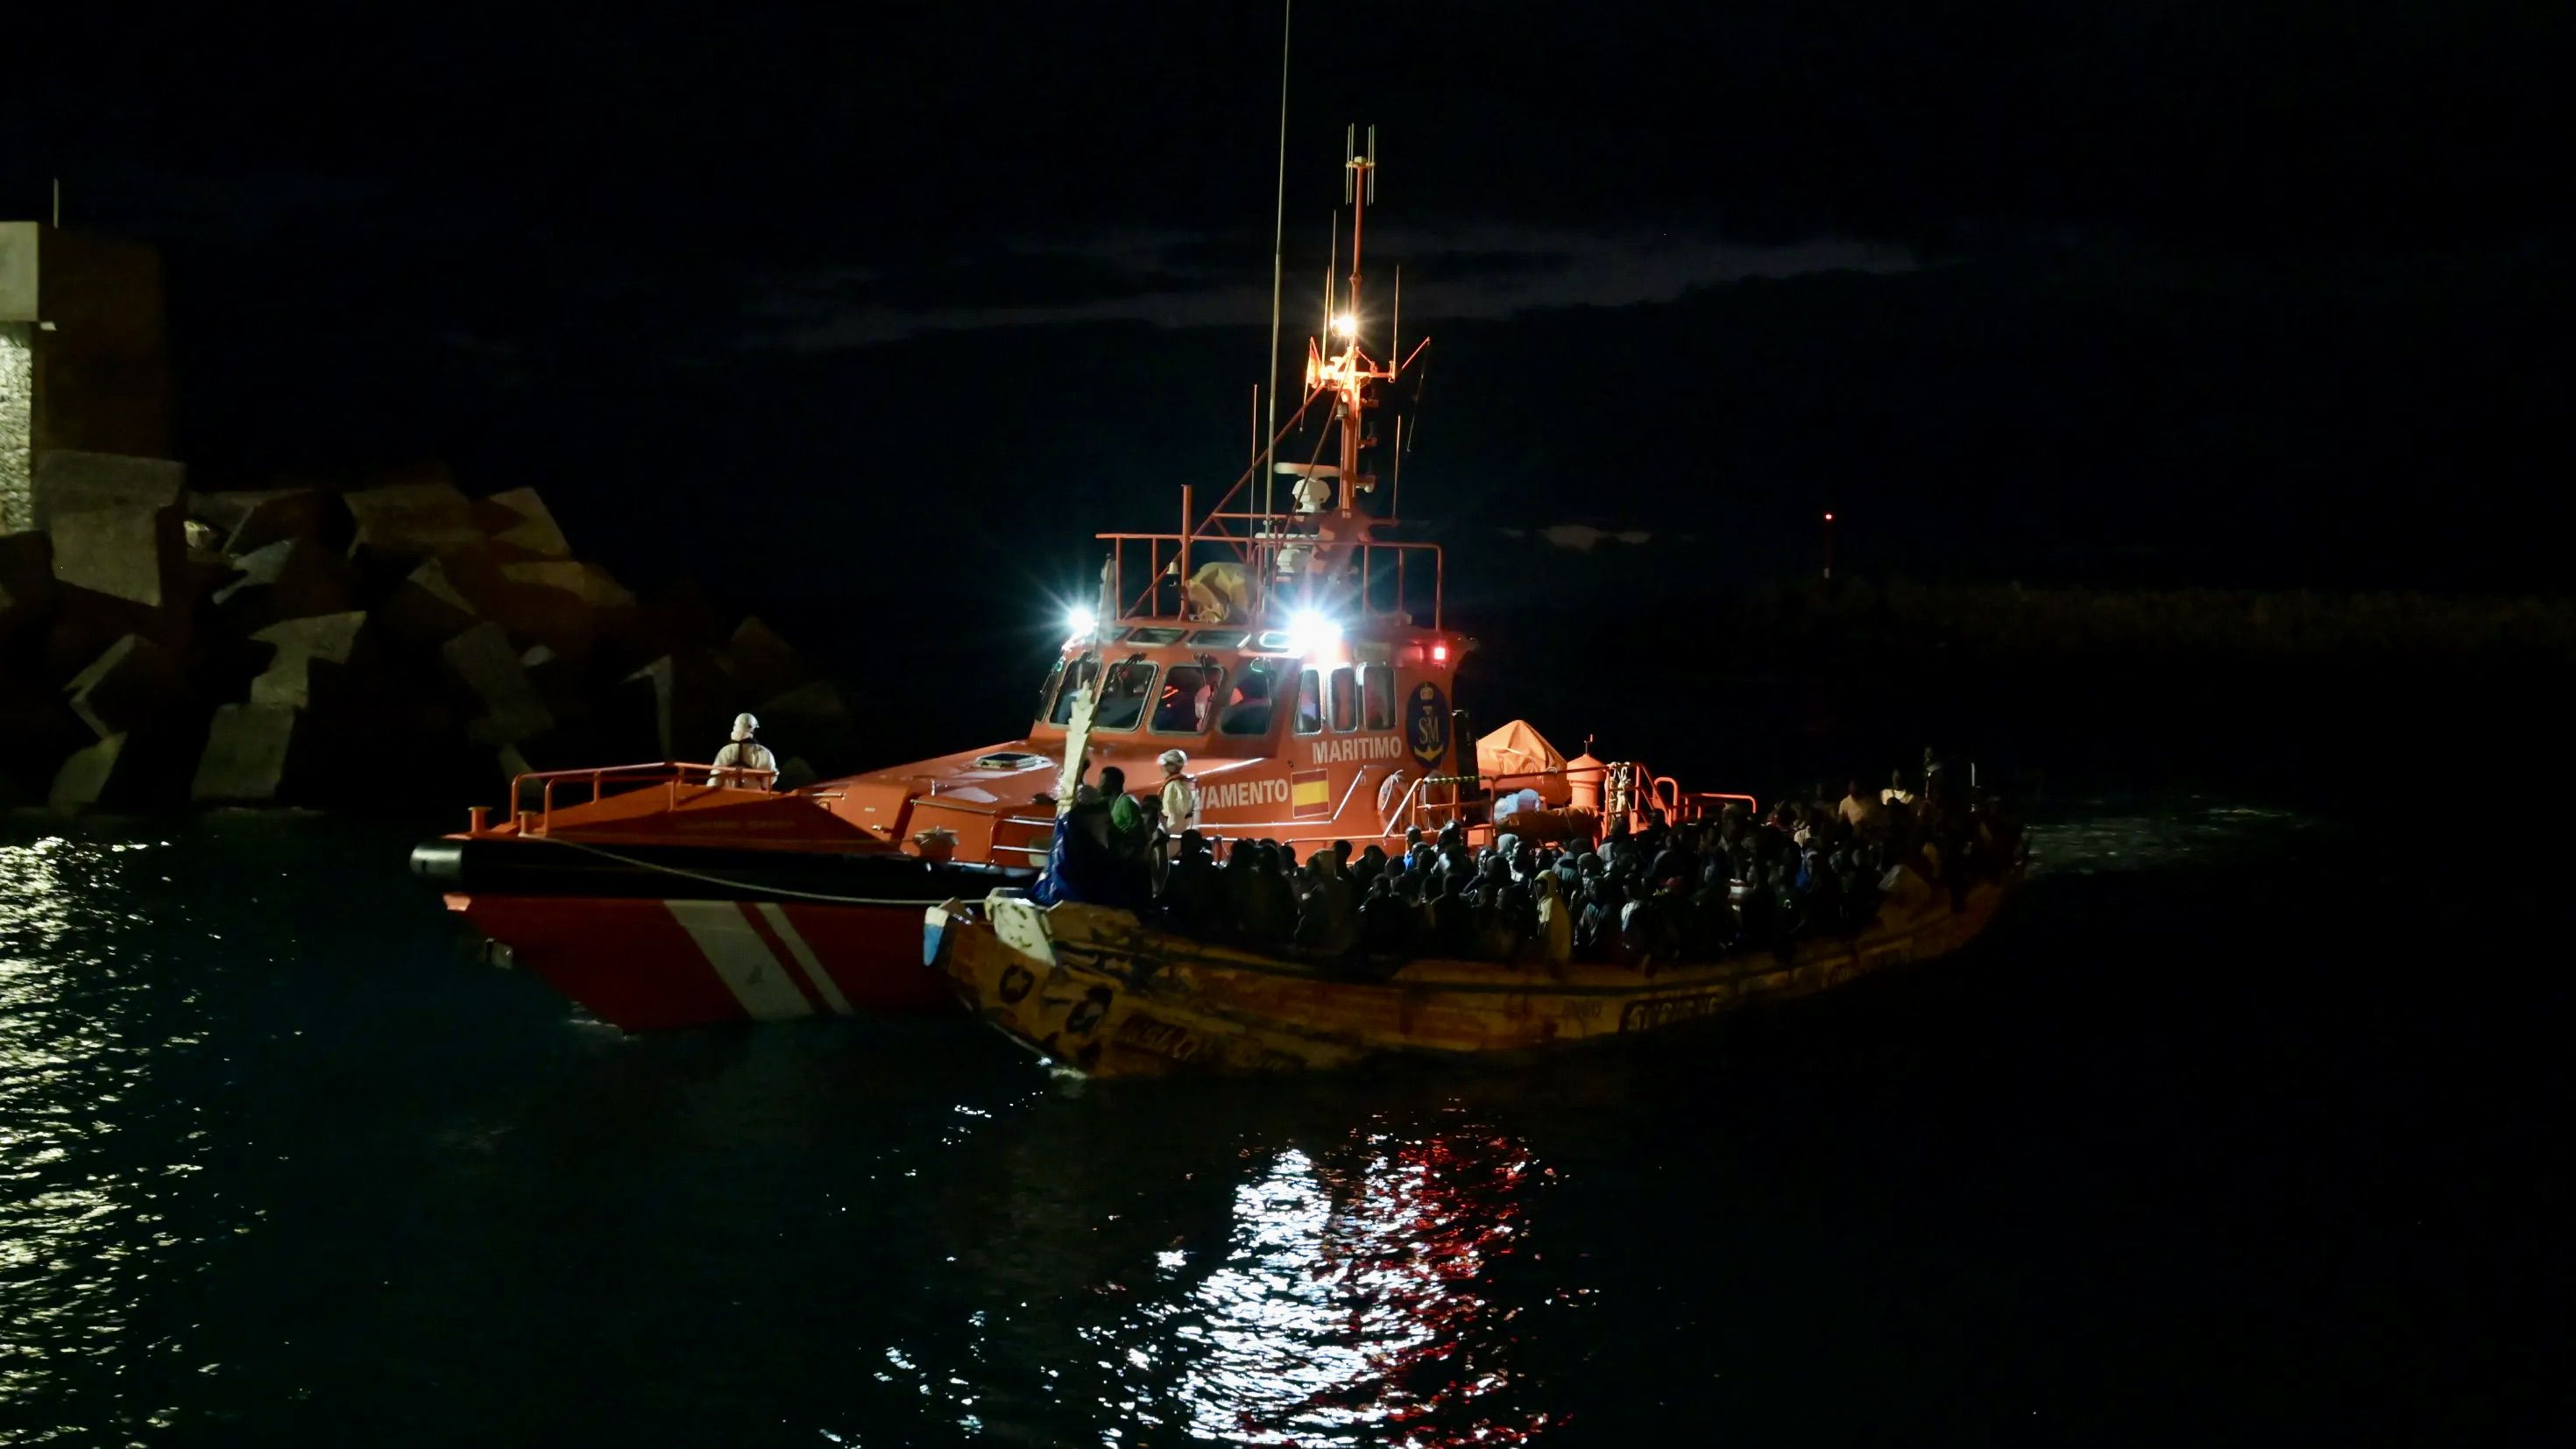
(2129, 292)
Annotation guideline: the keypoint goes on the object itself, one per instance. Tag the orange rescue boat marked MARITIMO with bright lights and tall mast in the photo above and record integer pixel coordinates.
(1300, 658)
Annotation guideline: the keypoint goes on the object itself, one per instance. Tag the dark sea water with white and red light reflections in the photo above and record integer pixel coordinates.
(2237, 1129)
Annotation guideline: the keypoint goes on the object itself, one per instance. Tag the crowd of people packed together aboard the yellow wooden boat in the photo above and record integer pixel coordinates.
(1658, 894)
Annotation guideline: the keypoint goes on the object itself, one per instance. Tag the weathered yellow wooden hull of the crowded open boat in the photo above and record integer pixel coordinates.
(1104, 995)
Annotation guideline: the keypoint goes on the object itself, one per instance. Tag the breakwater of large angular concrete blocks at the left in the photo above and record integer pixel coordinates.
(388, 645)
